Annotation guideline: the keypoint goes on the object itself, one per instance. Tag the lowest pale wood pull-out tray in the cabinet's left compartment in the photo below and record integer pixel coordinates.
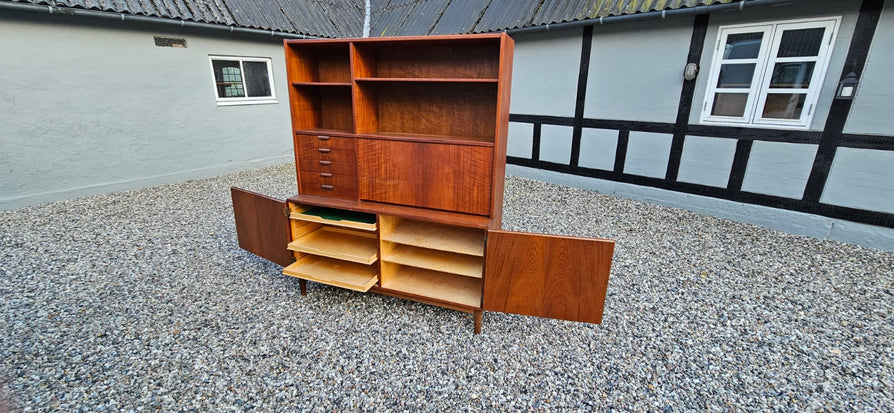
(357, 277)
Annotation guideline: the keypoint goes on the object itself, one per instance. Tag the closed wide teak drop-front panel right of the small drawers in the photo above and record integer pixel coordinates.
(437, 176)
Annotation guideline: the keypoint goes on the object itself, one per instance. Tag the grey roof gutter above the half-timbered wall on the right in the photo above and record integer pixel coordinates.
(652, 15)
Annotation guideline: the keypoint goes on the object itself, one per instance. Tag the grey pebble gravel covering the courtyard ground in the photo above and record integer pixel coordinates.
(142, 301)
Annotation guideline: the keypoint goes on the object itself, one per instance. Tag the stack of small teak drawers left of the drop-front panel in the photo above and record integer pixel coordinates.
(327, 166)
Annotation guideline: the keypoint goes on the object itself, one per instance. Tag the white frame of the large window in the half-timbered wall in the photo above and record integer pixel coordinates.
(765, 62)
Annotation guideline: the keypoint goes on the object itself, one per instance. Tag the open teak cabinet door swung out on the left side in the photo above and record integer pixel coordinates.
(262, 225)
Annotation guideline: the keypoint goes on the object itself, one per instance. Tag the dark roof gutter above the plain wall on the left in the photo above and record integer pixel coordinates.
(66, 11)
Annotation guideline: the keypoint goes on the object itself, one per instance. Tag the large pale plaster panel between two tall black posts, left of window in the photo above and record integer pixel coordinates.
(636, 70)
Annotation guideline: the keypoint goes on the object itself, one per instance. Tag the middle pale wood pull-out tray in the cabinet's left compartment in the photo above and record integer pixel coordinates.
(339, 244)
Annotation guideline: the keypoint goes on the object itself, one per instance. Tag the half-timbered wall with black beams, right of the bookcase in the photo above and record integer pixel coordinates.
(607, 108)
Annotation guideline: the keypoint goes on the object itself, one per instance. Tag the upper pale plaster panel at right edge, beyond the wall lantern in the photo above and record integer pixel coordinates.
(871, 108)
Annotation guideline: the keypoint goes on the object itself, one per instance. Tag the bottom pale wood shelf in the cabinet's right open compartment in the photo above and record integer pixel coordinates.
(436, 285)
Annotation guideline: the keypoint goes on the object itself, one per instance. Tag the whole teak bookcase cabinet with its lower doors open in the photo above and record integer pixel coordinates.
(400, 150)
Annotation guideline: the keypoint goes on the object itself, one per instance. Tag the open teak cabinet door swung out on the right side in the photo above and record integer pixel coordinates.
(547, 276)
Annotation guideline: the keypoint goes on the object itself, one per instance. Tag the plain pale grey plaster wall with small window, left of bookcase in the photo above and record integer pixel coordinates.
(93, 108)
